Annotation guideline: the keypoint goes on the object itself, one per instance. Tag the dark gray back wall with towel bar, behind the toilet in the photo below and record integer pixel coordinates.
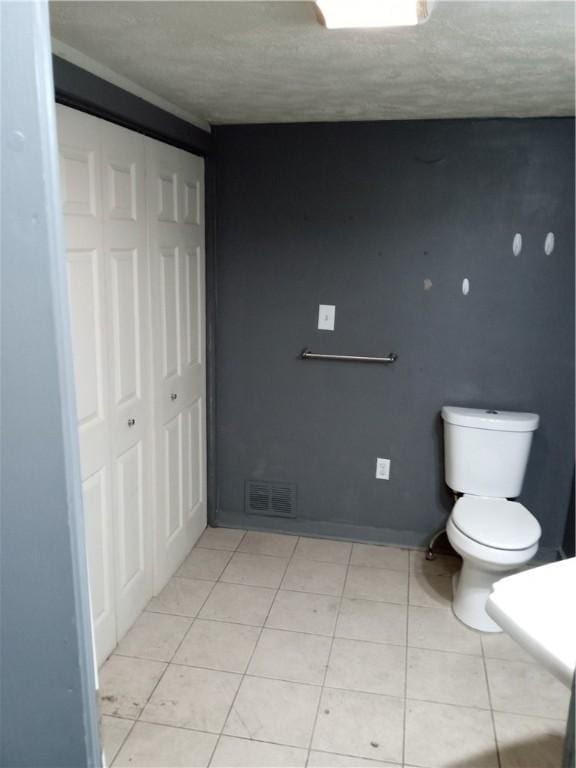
(359, 215)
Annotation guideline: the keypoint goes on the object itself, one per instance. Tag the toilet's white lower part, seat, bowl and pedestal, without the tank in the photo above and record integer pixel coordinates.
(495, 538)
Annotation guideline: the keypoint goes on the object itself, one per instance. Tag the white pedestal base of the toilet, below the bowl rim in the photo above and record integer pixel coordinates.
(472, 587)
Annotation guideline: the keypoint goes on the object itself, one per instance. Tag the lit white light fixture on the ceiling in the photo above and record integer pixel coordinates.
(348, 14)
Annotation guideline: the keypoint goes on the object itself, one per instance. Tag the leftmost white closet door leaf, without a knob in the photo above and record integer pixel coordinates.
(81, 192)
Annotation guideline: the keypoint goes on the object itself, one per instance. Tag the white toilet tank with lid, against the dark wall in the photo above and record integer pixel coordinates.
(486, 451)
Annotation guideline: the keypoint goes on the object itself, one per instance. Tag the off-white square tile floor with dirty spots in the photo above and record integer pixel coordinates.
(268, 650)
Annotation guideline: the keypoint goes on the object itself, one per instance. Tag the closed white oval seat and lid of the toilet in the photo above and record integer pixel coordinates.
(496, 523)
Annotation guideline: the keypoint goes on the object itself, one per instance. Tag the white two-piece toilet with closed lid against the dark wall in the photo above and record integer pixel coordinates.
(486, 453)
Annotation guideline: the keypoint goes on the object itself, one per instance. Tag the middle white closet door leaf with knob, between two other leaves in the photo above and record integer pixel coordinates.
(124, 203)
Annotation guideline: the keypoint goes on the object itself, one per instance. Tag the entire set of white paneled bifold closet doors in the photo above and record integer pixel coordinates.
(138, 339)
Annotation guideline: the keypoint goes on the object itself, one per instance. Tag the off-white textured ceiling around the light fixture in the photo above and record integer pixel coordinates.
(259, 62)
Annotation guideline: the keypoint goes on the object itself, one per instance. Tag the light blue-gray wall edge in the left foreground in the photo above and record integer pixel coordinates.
(48, 699)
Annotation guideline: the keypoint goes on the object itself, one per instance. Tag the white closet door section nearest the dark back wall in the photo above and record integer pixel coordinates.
(175, 186)
